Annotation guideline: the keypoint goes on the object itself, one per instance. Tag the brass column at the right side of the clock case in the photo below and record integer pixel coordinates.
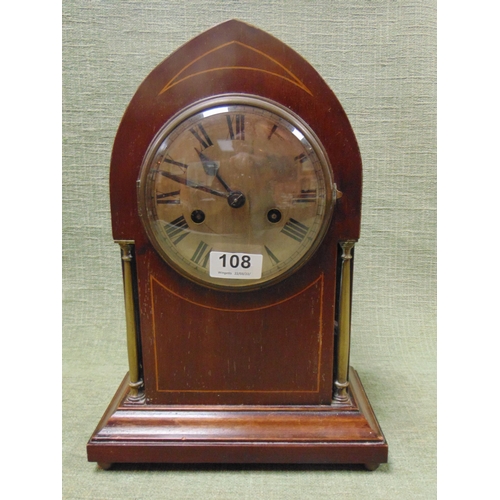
(341, 394)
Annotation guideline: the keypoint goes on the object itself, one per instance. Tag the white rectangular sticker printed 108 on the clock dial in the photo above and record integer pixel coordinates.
(235, 265)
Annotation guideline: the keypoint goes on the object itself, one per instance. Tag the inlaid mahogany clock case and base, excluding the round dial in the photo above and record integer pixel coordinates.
(237, 376)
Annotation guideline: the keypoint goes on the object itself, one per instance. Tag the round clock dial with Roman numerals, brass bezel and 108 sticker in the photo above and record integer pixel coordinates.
(235, 193)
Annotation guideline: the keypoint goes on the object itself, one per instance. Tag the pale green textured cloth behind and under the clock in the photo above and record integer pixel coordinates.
(379, 57)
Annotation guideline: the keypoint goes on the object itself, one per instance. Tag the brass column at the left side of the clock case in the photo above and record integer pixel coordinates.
(135, 395)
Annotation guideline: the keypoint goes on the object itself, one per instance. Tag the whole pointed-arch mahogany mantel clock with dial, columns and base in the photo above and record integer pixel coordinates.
(235, 190)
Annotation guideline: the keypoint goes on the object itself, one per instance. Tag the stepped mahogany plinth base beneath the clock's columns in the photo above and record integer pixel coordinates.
(240, 434)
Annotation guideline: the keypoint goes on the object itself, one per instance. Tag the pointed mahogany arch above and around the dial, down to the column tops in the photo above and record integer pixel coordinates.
(233, 58)
